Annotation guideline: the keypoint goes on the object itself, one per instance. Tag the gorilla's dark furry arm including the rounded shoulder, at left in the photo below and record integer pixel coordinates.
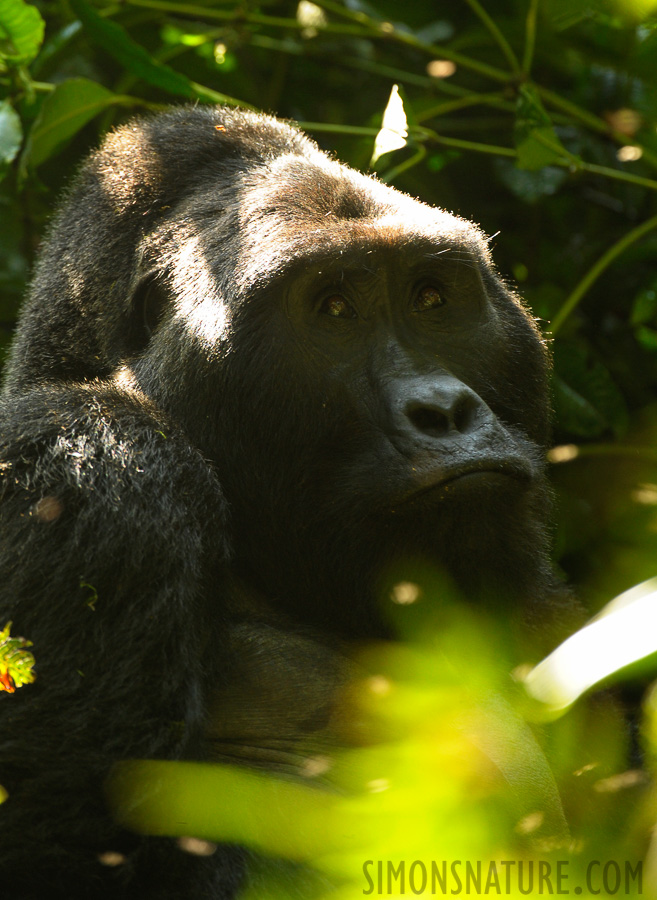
(109, 522)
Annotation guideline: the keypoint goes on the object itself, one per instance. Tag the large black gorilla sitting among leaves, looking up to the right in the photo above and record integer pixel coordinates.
(249, 389)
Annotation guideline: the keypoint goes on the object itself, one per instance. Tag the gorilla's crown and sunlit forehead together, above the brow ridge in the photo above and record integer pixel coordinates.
(258, 191)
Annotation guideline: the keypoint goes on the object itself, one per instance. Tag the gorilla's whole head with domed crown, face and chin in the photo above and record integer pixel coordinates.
(368, 390)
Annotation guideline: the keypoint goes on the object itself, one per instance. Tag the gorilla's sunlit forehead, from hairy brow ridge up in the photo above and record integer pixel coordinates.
(295, 208)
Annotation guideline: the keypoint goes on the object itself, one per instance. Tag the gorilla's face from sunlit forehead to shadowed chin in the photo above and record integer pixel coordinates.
(374, 394)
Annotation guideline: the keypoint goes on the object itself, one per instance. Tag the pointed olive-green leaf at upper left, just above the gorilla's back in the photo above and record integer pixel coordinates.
(71, 105)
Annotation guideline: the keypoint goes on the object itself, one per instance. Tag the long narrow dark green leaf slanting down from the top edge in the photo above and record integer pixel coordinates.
(133, 57)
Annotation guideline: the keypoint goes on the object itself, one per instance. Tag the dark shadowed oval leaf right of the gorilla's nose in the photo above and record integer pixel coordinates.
(587, 401)
